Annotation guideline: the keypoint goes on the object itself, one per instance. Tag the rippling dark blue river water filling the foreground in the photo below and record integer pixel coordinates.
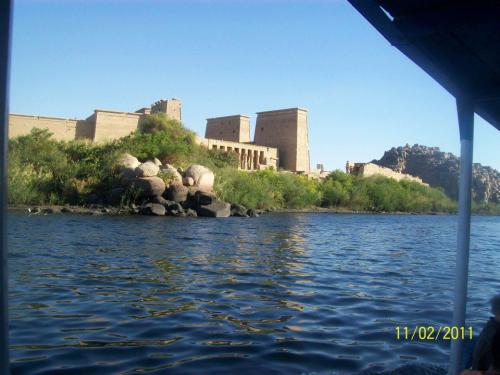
(283, 293)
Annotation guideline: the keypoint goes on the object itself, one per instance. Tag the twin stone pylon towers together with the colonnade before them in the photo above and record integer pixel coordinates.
(281, 139)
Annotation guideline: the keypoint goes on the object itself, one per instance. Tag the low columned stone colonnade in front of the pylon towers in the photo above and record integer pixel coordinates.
(250, 156)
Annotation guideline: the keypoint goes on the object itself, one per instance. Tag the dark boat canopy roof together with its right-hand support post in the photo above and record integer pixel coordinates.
(457, 42)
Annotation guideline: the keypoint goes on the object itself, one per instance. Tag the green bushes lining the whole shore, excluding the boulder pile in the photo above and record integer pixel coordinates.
(42, 170)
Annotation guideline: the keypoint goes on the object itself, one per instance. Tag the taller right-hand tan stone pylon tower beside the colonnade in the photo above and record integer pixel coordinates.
(287, 130)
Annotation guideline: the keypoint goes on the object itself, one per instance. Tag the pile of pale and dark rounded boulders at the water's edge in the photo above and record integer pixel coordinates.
(186, 193)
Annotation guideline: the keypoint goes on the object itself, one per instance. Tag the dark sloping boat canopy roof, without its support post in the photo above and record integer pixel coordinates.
(457, 42)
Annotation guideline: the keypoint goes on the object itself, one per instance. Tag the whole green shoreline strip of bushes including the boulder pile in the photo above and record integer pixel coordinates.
(46, 172)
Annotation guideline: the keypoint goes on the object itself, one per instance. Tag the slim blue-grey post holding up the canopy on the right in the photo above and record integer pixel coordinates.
(465, 109)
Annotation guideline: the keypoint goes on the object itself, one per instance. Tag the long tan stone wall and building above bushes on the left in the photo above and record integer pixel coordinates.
(103, 125)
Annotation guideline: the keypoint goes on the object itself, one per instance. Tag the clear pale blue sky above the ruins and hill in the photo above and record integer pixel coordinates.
(228, 57)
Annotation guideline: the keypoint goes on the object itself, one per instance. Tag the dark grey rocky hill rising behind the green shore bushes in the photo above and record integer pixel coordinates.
(440, 169)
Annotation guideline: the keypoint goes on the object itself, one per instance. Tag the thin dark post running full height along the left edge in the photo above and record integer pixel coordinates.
(5, 34)
